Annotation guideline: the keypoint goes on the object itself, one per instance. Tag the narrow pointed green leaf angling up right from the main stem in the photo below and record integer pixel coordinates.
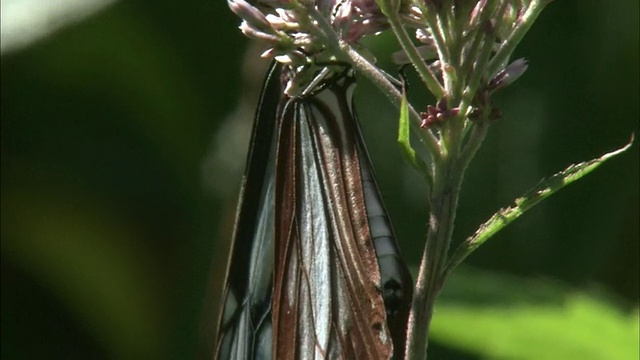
(544, 189)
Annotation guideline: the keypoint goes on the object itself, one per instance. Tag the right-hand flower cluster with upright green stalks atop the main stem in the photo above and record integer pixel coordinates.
(465, 63)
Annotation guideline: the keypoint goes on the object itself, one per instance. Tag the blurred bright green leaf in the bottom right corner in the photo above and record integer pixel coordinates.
(496, 316)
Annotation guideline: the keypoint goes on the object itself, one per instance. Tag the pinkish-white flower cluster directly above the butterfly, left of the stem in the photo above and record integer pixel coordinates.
(300, 30)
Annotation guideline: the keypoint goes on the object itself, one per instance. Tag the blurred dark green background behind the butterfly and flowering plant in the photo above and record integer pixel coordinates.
(121, 162)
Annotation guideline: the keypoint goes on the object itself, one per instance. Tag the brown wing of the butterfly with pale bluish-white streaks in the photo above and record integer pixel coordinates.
(327, 291)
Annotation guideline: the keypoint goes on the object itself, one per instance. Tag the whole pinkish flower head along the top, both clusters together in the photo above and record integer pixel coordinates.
(461, 47)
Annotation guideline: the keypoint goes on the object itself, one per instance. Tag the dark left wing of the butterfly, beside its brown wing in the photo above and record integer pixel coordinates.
(245, 328)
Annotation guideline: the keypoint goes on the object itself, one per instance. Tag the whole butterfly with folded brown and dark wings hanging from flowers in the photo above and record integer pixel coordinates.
(314, 272)
